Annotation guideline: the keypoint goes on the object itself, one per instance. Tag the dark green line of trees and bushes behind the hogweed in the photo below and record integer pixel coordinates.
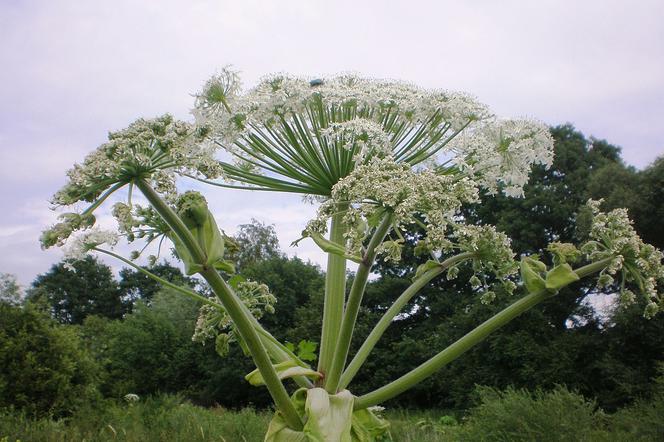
(81, 334)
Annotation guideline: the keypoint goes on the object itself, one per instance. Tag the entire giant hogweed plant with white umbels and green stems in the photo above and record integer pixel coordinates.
(379, 158)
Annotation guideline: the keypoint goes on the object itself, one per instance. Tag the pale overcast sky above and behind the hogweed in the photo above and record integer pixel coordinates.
(73, 70)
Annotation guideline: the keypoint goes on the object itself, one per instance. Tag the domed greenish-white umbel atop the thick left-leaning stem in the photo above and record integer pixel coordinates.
(154, 150)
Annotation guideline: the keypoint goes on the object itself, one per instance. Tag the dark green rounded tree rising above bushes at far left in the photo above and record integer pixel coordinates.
(73, 290)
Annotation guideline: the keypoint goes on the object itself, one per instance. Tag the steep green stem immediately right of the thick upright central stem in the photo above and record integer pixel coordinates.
(353, 305)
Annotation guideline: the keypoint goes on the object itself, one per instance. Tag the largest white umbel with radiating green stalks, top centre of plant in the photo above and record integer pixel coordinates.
(309, 134)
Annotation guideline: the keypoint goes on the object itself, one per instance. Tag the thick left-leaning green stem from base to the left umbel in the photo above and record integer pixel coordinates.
(233, 305)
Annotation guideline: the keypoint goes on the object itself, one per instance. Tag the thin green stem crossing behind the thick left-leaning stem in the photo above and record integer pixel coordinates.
(276, 349)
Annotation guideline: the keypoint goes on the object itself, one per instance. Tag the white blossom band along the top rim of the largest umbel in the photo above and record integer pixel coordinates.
(282, 95)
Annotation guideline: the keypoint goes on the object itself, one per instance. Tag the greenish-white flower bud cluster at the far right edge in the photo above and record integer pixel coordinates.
(612, 236)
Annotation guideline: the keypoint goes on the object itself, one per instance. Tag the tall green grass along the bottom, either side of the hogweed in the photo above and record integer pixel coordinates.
(509, 415)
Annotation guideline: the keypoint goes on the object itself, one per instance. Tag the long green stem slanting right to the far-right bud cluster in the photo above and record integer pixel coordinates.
(464, 344)
